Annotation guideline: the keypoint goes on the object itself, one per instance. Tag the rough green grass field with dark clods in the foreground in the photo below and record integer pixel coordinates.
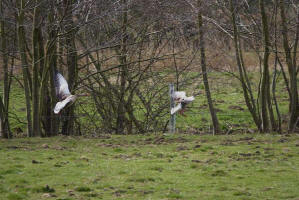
(151, 167)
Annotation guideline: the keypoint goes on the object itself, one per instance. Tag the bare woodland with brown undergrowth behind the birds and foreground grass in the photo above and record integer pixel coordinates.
(238, 57)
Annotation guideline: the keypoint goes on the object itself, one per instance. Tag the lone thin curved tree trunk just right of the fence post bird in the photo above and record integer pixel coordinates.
(216, 128)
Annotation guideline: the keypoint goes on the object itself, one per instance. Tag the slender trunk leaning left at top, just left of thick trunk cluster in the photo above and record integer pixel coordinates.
(24, 62)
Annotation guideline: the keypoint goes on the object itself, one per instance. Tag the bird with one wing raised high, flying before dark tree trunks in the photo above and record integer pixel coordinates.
(63, 93)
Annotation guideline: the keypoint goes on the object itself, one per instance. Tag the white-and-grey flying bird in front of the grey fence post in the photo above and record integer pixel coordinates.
(182, 100)
